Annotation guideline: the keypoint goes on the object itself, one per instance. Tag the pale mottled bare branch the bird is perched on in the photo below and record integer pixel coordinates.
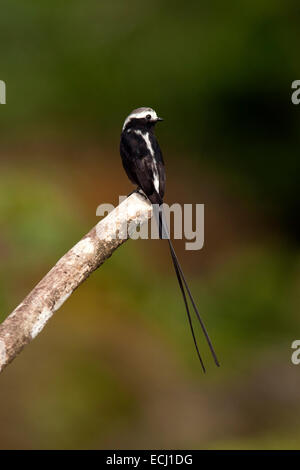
(30, 317)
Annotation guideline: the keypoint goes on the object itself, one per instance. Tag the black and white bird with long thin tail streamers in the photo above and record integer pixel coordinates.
(143, 163)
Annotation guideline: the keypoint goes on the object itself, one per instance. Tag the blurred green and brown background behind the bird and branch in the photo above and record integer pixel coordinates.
(116, 367)
